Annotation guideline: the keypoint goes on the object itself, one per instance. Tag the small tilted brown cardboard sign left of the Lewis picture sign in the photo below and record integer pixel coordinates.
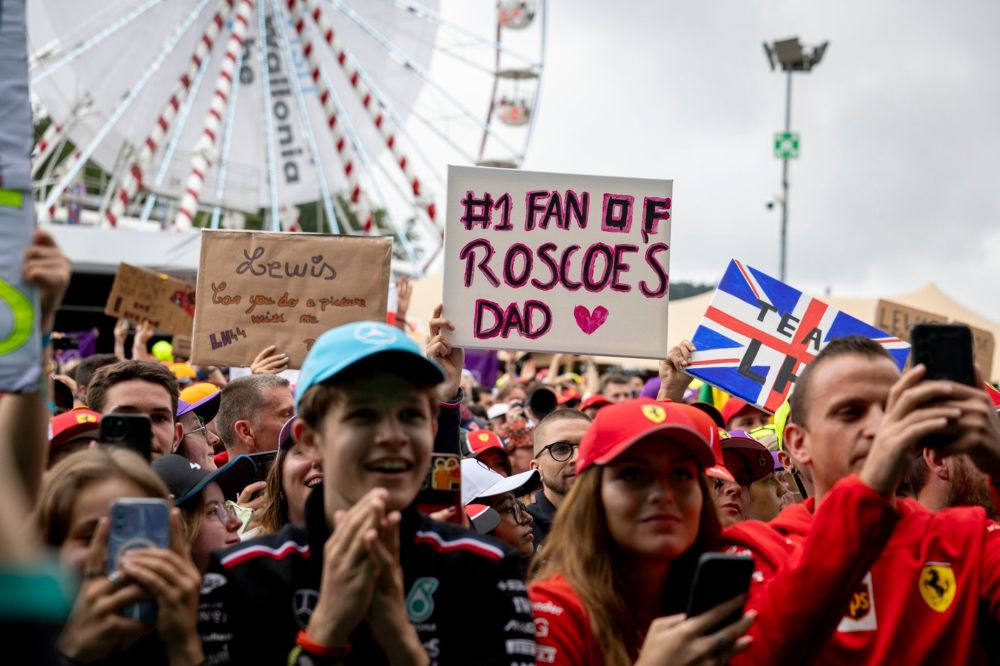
(166, 302)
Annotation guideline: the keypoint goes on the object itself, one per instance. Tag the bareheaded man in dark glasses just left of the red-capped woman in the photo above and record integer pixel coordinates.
(556, 440)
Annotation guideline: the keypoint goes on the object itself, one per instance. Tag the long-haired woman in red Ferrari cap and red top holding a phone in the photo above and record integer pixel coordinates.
(611, 582)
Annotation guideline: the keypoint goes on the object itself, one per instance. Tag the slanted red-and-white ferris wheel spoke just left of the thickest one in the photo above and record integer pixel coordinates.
(133, 179)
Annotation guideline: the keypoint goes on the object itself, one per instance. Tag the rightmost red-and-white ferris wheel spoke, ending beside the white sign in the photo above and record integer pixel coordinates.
(363, 89)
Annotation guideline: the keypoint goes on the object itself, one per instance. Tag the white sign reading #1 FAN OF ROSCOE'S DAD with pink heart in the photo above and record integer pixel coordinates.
(557, 262)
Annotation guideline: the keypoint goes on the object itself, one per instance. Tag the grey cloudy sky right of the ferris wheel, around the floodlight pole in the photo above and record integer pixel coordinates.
(900, 123)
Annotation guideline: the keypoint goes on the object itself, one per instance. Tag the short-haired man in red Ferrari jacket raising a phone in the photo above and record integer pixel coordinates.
(867, 578)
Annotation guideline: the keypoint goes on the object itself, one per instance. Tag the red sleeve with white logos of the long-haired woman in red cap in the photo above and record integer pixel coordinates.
(562, 626)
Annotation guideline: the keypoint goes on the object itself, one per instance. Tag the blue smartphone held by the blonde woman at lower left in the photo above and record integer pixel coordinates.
(137, 523)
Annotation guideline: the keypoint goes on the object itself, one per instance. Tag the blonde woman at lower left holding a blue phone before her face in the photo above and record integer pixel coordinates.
(72, 518)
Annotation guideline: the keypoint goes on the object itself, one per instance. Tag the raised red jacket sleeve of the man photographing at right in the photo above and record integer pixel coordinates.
(804, 584)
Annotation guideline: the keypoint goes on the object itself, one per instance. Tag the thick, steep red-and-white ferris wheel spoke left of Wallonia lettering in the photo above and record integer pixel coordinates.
(207, 146)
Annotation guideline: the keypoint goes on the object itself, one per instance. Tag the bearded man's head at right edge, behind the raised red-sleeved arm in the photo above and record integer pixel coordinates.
(938, 483)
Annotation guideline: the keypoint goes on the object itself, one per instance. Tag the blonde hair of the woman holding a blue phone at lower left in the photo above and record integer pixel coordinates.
(68, 477)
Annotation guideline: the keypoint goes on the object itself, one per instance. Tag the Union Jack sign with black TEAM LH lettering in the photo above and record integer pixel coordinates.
(758, 333)
